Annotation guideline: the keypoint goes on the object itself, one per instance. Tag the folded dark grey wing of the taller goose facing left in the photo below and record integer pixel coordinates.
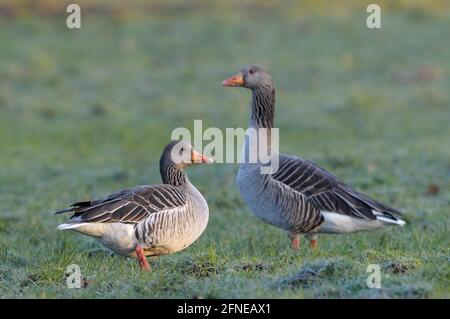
(324, 191)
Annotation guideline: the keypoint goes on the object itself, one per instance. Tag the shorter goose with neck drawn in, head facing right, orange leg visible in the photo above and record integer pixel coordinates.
(148, 220)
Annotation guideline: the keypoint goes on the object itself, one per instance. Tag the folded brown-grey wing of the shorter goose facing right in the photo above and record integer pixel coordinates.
(129, 205)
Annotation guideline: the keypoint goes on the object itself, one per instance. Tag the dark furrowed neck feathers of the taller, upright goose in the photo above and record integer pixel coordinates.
(263, 107)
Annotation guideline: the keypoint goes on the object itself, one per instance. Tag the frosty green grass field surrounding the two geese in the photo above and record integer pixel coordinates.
(85, 113)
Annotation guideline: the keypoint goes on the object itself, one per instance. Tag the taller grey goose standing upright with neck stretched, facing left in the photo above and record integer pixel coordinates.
(300, 196)
